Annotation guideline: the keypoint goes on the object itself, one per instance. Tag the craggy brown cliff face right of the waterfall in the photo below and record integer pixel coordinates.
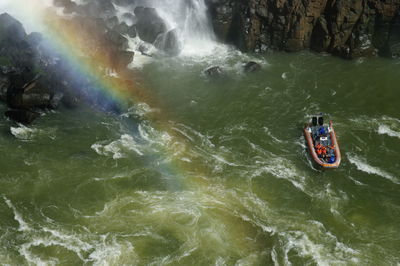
(348, 28)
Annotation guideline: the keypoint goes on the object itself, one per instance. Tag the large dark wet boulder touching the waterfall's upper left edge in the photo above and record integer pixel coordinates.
(149, 24)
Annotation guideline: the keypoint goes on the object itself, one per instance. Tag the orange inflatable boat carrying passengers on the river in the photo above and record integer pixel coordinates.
(322, 143)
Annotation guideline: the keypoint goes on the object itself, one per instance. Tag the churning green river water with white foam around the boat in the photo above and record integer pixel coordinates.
(216, 174)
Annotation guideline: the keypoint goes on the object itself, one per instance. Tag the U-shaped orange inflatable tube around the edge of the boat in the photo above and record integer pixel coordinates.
(311, 145)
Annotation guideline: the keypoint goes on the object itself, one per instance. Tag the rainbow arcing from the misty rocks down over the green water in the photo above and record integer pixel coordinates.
(85, 51)
